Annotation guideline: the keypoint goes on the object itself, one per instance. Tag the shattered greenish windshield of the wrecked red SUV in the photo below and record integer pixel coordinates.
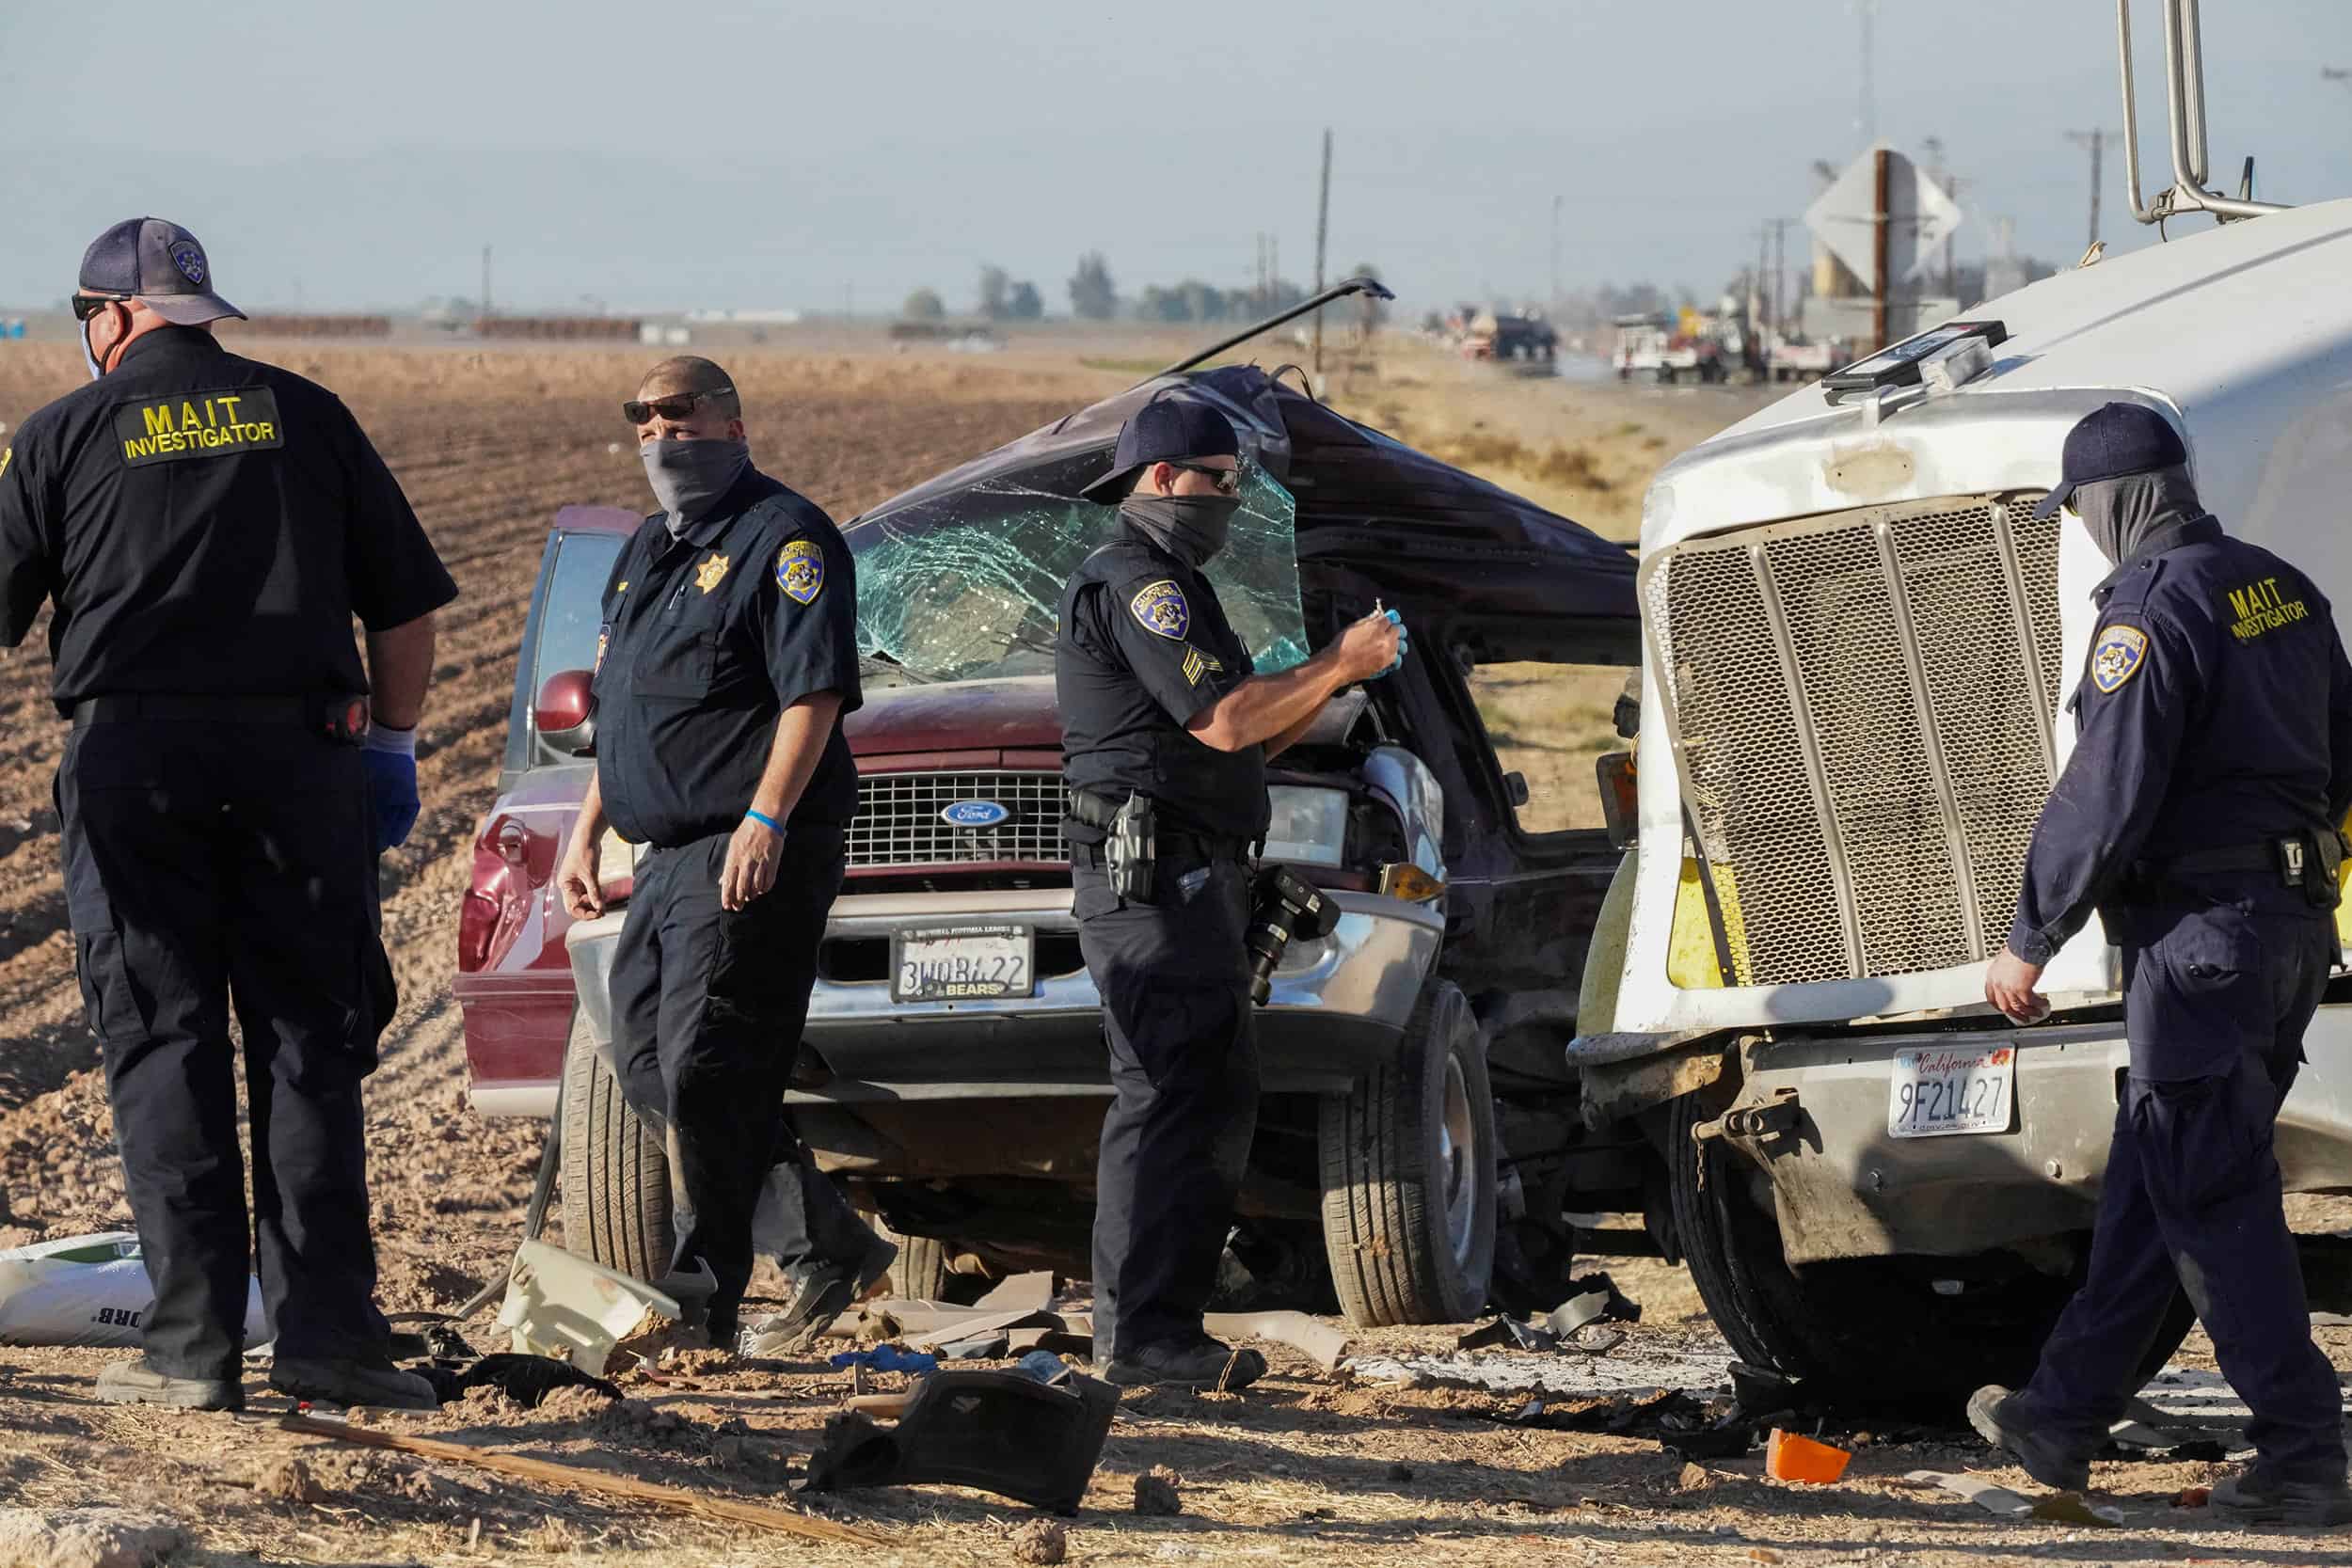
(968, 587)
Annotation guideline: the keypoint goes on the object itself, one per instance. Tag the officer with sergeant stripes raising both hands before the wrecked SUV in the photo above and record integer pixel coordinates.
(1161, 704)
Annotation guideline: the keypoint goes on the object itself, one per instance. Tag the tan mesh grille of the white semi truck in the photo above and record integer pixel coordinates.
(1862, 709)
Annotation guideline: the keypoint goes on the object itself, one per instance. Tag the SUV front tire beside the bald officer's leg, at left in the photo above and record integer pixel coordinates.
(615, 1170)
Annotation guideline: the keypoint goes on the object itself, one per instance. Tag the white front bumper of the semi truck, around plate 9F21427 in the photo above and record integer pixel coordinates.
(1845, 1188)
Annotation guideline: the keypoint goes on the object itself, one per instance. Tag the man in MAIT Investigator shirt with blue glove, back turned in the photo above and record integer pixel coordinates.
(208, 528)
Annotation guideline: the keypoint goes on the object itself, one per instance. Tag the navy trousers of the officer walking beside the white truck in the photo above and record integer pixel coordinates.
(2193, 1191)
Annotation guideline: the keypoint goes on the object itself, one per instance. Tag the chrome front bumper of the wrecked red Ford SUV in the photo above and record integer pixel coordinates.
(1339, 1007)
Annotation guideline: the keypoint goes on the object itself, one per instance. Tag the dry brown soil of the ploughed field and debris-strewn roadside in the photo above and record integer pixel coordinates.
(1302, 1468)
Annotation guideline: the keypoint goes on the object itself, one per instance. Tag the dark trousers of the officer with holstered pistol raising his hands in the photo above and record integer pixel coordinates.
(1184, 1090)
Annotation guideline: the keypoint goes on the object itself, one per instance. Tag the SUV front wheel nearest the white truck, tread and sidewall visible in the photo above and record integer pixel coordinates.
(1410, 1177)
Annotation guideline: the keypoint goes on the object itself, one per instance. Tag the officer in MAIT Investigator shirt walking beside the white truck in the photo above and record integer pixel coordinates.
(2198, 817)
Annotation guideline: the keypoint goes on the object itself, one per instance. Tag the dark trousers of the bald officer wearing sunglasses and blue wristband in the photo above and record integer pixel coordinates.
(707, 1012)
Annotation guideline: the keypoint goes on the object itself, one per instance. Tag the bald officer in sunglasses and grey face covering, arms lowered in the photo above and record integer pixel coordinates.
(723, 676)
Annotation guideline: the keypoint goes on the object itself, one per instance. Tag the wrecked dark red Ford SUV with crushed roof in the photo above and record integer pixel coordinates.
(1419, 1127)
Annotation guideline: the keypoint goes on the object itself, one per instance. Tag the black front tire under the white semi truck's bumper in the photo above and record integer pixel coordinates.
(1871, 1325)
